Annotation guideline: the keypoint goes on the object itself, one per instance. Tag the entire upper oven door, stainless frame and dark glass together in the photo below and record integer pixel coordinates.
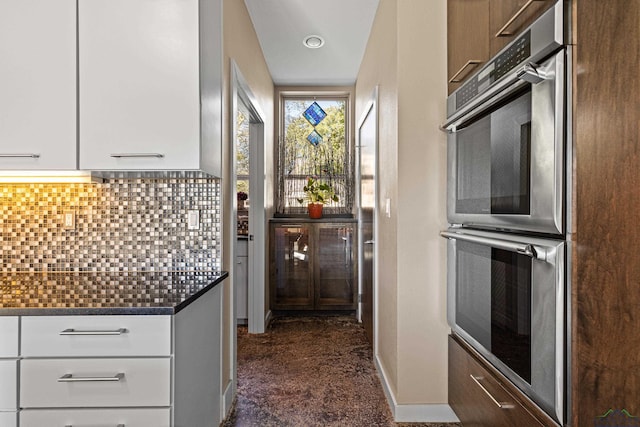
(506, 153)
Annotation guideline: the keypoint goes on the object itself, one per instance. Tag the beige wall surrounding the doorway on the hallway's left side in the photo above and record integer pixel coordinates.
(241, 45)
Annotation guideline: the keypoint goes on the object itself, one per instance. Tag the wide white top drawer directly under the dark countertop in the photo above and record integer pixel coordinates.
(100, 336)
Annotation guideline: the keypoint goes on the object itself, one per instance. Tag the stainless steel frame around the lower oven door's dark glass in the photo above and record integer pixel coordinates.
(555, 256)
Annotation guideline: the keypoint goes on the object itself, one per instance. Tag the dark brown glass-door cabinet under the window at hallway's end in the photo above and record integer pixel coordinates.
(313, 266)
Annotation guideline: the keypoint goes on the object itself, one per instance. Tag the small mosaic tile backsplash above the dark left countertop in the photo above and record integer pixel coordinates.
(121, 224)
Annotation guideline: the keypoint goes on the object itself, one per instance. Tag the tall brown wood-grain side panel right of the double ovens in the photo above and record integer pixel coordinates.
(606, 266)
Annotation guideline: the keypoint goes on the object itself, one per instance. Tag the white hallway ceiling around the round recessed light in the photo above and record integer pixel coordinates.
(282, 25)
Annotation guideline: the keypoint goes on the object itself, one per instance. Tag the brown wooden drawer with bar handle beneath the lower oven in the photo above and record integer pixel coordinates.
(480, 398)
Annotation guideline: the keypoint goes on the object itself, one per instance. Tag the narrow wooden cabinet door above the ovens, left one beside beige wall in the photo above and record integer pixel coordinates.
(467, 38)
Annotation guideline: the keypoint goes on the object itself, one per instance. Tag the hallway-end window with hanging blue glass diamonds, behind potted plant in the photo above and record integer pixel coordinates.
(314, 143)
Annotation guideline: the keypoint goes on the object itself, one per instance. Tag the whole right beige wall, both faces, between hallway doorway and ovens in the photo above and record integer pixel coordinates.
(406, 57)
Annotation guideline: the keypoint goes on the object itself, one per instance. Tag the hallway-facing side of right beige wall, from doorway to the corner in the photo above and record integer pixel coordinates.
(379, 67)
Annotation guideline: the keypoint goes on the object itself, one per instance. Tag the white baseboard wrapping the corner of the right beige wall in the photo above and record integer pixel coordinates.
(429, 413)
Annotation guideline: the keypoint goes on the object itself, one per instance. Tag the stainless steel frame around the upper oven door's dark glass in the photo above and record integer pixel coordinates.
(548, 152)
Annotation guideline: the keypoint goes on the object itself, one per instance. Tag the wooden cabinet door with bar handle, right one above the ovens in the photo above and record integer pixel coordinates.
(510, 17)
